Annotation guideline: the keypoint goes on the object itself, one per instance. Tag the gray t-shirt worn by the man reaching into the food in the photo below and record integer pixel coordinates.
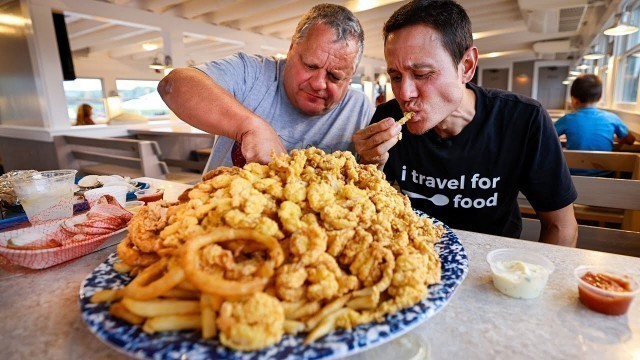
(256, 82)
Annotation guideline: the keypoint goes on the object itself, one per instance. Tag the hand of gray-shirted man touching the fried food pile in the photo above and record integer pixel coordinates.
(260, 142)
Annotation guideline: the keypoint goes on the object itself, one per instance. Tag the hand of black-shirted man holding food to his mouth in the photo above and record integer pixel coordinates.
(373, 142)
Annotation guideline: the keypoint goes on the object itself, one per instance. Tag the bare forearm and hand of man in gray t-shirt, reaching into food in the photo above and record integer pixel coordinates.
(198, 100)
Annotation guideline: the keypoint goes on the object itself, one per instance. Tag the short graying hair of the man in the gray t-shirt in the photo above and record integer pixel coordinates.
(337, 17)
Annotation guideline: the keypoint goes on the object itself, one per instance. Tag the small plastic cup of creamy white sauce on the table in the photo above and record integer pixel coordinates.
(519, 273)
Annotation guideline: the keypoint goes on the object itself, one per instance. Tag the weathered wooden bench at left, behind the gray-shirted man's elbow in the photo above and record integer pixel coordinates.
(121, 156)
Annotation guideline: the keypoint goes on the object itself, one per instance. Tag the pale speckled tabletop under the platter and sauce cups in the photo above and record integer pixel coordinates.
(41, 315)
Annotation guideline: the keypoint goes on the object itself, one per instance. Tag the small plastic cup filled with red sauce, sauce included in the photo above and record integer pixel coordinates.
(606, 291)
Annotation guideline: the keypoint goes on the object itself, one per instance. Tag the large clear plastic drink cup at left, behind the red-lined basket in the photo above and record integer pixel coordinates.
(46, 195)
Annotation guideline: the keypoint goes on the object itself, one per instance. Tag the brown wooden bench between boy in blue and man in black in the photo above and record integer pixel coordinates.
(627, 164)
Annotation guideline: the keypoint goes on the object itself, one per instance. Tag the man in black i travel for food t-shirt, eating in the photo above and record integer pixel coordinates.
(467, 151)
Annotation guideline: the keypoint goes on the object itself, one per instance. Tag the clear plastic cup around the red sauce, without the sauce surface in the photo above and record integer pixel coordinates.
(606, 301)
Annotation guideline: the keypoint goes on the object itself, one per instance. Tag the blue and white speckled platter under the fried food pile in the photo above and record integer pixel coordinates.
(134, 342)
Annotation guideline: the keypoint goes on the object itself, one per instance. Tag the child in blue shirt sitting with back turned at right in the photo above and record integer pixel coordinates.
(589, 128)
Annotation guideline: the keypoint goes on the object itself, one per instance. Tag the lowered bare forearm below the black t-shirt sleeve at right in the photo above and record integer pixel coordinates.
(559, 227)
